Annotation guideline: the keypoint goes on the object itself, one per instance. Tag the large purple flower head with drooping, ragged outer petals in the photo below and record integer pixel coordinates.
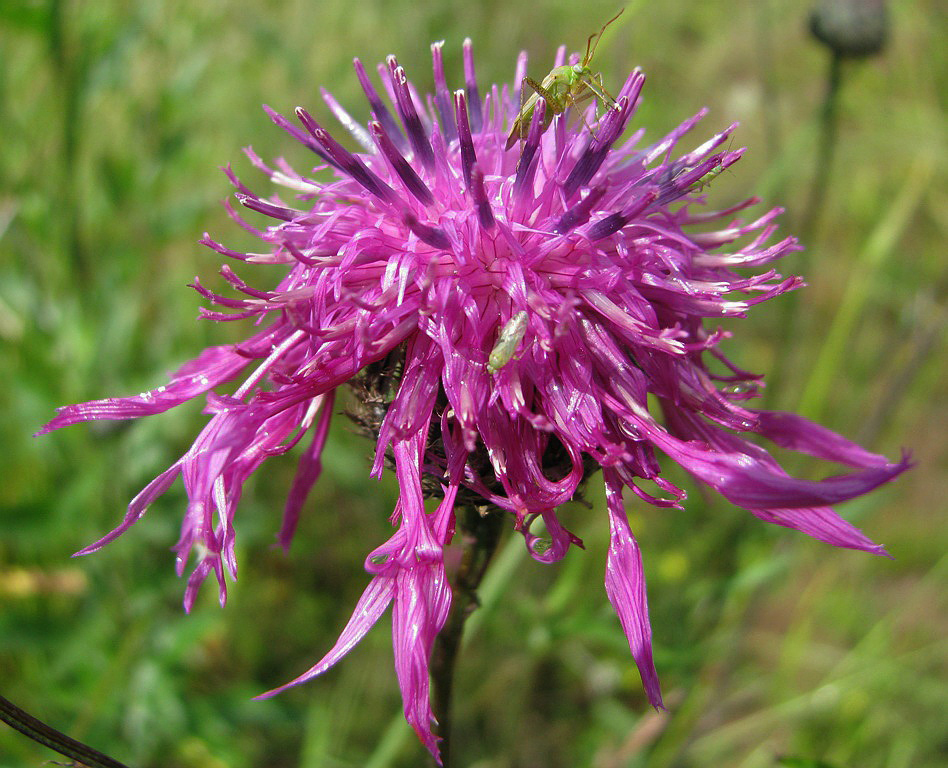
(507, 319)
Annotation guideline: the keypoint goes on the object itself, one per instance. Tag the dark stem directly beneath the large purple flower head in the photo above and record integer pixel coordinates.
(480, 535)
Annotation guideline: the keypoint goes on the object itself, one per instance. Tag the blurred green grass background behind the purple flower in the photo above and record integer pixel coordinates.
(114, 119)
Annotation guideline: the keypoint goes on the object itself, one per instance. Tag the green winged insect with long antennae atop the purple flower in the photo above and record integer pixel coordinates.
(566, 86)
